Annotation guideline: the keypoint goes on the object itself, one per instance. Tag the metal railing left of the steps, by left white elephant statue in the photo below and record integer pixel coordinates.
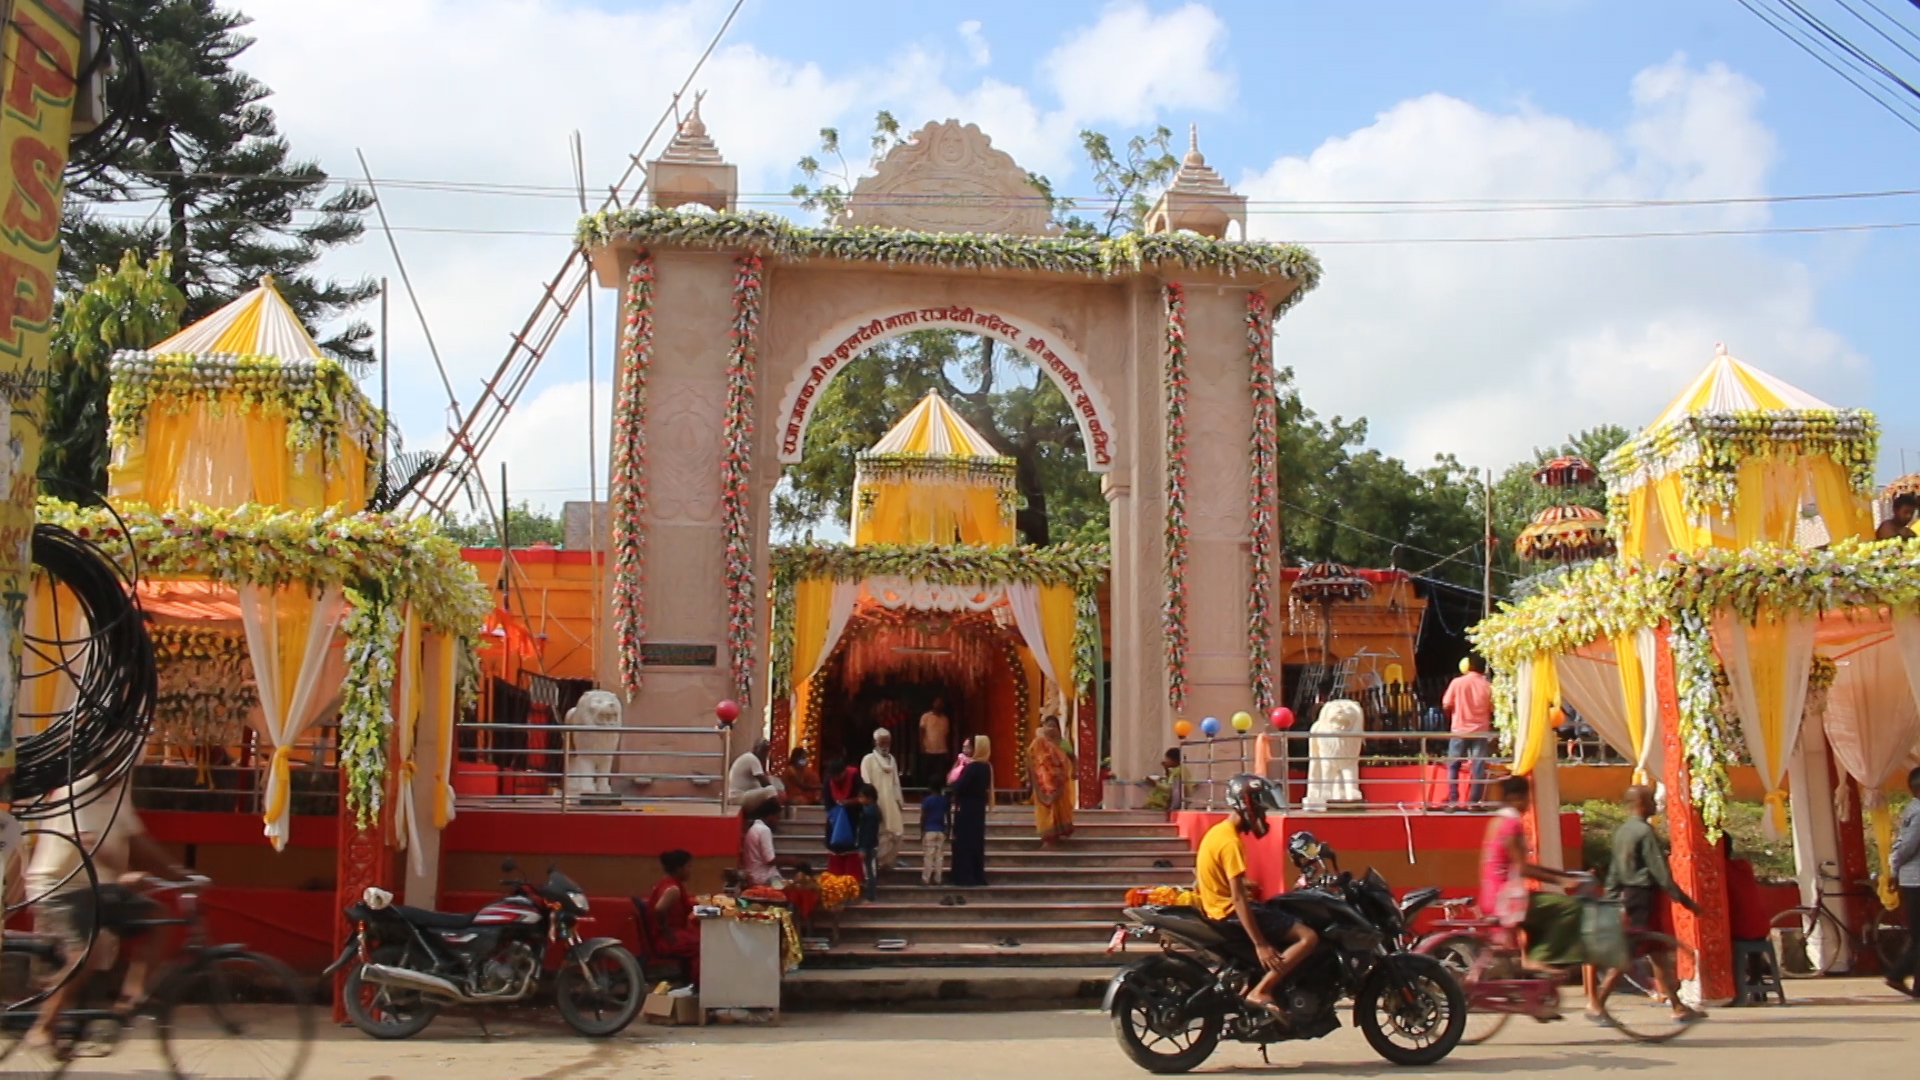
(569, 768)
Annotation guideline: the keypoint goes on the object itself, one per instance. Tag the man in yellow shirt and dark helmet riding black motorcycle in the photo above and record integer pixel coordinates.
(1280, 941)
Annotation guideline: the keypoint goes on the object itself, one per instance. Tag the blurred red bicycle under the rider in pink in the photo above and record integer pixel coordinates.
(1487, 962)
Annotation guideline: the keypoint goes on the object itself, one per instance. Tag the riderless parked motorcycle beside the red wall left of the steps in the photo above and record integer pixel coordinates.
(410, 962)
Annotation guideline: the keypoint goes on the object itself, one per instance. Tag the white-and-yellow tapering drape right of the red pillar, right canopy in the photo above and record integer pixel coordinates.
(1767, 670)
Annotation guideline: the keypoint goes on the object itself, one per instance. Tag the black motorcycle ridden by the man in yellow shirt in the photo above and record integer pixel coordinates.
(1172, 1010)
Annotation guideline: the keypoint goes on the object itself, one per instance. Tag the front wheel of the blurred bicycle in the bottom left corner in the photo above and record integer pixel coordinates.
(235, 1016)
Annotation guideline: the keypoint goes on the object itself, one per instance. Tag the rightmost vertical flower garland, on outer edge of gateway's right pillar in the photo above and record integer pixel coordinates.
(1264, 501)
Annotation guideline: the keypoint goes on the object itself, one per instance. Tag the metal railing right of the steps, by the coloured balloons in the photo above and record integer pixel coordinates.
(1424, 760)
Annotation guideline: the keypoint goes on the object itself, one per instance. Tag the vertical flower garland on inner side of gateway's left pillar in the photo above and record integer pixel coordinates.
(736, 472)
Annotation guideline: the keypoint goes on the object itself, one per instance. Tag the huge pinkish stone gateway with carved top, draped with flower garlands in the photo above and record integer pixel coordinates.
(736, 324)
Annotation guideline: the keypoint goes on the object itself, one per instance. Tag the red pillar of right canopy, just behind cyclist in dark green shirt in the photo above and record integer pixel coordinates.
(1698, 866)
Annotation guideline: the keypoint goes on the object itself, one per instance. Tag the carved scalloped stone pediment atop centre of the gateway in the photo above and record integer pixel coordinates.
(948, 178)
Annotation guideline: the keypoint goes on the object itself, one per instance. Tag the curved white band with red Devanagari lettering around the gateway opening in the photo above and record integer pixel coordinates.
(852, 339)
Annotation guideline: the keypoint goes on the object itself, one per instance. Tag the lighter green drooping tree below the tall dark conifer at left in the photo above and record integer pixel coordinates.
(126, 308)
